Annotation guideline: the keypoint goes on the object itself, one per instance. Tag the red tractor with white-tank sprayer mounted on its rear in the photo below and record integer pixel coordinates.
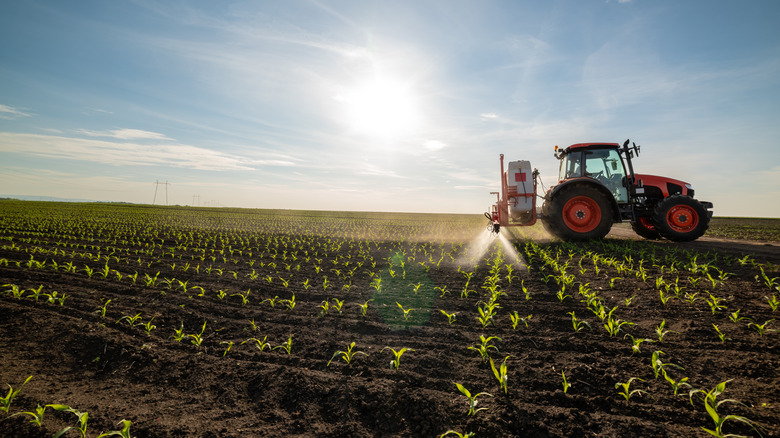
(597, 187)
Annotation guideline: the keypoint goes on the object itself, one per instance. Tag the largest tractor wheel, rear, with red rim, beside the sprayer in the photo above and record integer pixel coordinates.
(577, 212)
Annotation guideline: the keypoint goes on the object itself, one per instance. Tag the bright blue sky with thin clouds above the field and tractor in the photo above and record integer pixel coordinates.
(382, 105)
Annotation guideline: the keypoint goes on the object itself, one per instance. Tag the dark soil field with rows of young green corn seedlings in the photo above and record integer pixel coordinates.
(225, 281)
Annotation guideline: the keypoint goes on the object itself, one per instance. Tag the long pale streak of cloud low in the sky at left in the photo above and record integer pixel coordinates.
(127, 153)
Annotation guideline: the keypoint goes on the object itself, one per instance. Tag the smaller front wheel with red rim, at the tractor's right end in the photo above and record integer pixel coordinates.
(680, 218)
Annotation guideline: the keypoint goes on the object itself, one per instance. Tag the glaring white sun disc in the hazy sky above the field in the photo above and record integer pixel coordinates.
(381, 108)
